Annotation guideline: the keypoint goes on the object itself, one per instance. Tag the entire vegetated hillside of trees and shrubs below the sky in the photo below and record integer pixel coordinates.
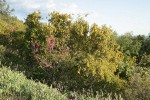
(65, 57)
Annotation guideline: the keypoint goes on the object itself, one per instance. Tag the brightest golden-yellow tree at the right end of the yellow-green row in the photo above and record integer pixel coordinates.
(105, 52)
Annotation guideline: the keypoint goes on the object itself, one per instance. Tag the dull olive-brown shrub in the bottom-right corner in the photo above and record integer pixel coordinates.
(138, 86)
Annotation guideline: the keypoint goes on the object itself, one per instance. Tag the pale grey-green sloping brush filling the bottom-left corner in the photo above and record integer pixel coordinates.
(15, 84)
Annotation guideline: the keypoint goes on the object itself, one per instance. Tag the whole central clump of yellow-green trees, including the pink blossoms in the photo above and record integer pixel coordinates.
(78, 48)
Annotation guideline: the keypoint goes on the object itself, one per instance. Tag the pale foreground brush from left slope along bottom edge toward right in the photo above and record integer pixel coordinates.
(14, 85)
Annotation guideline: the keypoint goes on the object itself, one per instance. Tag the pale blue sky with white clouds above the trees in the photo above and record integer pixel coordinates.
(122, 15)
